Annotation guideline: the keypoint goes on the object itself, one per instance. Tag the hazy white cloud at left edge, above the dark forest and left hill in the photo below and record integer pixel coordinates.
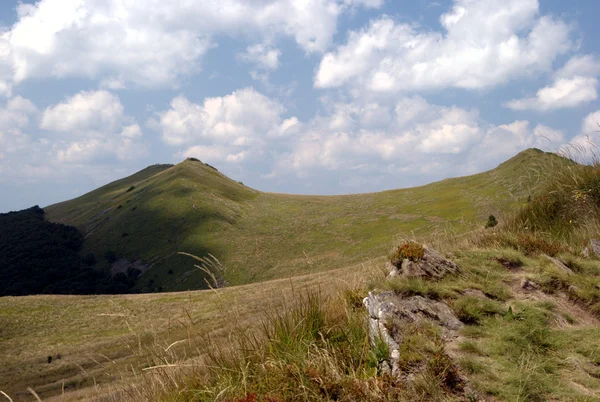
(87, 139)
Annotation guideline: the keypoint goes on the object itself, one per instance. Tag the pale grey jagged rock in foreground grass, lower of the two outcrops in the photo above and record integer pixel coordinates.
(389, 313)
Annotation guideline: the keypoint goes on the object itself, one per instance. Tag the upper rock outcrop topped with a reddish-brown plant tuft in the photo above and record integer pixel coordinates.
(432, 265)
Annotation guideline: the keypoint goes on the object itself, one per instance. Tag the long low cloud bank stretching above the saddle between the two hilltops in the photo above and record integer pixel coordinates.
(251, 131)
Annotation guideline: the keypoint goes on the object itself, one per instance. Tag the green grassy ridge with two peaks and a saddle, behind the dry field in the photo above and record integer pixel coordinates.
(192, 207)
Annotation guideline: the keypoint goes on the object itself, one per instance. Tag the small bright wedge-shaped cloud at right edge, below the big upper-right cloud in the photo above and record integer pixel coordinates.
(575, 84)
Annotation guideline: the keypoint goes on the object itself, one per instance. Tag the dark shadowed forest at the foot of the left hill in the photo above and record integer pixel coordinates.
(43, 257)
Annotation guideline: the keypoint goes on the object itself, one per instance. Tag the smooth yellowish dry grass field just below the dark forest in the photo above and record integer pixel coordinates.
(110, 339)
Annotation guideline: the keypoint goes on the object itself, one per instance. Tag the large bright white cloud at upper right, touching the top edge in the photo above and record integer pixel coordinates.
(484, 43)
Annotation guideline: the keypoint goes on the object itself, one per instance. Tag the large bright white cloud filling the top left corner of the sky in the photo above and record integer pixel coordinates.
(150, 43)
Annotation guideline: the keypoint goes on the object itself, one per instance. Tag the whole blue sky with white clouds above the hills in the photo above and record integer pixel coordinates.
(294, 96)
